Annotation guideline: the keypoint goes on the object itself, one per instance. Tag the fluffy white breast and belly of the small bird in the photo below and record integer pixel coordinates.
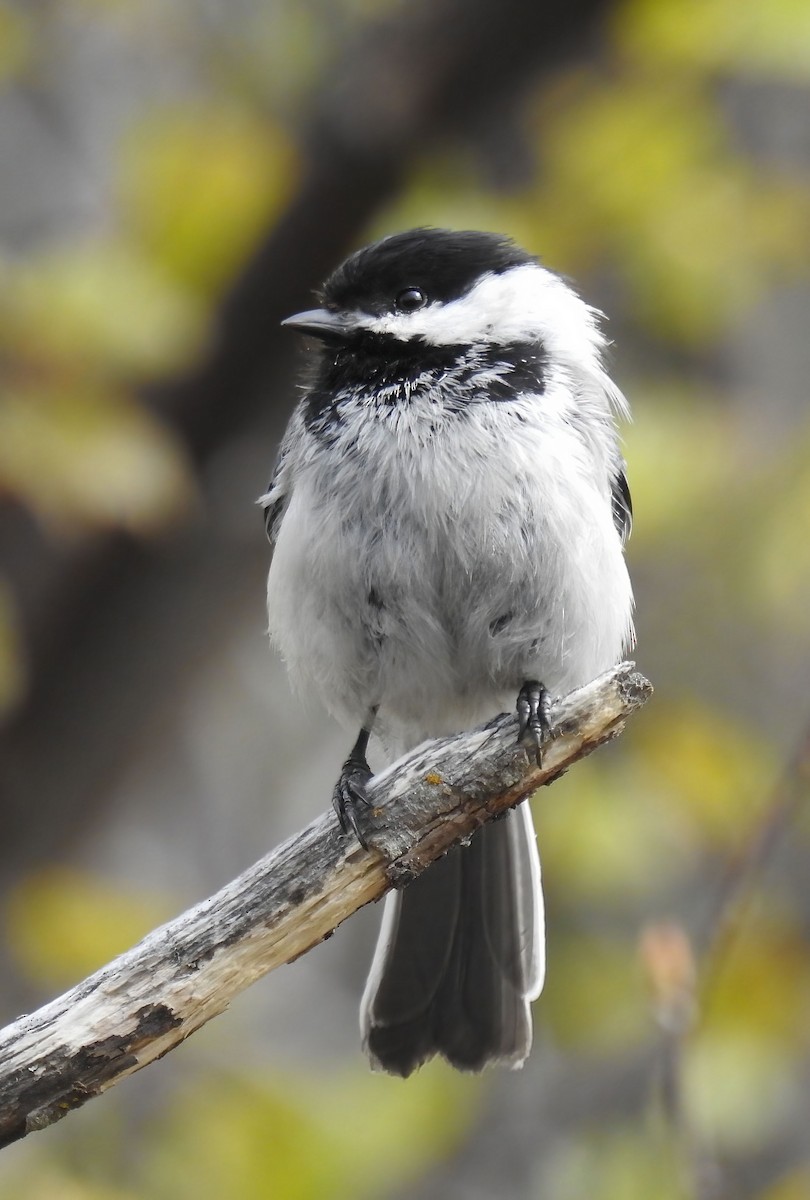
(435, 562)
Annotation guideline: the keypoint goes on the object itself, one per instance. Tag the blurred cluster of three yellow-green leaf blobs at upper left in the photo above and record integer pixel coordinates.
(81, 323)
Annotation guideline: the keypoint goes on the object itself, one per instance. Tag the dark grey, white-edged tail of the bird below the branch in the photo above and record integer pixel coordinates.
(460, 957)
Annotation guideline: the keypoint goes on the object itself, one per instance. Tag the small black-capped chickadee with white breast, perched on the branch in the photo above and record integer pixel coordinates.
(448, 513)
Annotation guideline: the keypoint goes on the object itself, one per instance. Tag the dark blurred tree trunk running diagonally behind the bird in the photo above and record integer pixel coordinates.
(115, 629)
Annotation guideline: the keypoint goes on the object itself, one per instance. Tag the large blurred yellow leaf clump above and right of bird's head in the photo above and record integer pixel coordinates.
(641, 172)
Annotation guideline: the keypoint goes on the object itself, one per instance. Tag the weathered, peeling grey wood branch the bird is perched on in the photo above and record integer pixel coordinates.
(149, 1000)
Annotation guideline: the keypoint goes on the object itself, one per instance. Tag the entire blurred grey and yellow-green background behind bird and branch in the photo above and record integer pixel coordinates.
(176, 179)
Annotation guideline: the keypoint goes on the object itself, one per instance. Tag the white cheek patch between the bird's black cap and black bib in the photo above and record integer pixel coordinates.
(524, 304)
